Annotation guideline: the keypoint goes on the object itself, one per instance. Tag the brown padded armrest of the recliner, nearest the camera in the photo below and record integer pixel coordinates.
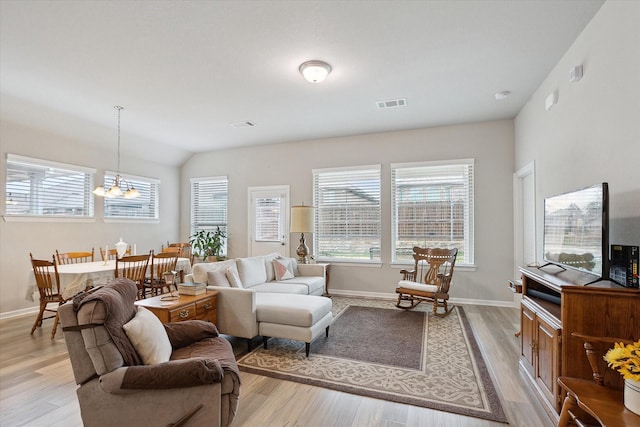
(167, 375)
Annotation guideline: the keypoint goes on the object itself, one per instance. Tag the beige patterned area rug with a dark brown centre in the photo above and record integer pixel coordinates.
(378, 351)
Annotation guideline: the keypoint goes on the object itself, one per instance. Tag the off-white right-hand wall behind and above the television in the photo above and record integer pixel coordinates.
(592, 134)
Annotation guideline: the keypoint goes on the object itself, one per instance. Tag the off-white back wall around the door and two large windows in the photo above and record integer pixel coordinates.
(490, 143)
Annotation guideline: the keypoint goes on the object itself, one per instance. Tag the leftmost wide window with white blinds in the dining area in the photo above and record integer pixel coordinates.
(42, 188)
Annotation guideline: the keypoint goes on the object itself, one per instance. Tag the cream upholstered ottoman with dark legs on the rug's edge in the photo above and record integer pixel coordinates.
(292, 316)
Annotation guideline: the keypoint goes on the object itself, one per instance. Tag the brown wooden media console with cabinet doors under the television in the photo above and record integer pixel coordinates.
(557, 303)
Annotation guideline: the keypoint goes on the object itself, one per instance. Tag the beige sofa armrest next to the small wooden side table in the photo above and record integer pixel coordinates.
(236, 311)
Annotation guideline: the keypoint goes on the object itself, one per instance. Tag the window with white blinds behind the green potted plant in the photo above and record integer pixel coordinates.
(209, 205)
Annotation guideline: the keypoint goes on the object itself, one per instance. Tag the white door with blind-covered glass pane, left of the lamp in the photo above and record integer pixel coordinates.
(268, 220)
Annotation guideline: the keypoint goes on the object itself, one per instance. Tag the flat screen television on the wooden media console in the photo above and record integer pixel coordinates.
(576, 230)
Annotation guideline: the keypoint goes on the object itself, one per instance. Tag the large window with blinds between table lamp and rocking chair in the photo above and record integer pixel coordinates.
(348, 220)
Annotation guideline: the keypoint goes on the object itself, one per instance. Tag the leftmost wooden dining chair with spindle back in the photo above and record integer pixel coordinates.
(48, 282)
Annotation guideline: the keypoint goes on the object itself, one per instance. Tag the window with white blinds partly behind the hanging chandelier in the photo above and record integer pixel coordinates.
(143, 207)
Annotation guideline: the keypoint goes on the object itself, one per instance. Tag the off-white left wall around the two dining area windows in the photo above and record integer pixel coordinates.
(17, 239)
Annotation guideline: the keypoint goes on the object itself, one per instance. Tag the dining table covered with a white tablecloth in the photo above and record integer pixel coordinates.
(75, 278)
